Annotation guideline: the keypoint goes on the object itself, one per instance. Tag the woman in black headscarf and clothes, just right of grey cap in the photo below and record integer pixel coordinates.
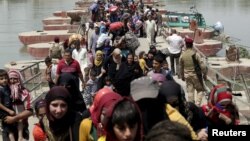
(175, 96)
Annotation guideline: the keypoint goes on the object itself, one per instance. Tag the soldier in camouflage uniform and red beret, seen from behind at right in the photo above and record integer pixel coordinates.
(188, 73)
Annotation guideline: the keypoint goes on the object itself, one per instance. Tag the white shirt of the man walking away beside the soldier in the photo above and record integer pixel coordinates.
(176, 42)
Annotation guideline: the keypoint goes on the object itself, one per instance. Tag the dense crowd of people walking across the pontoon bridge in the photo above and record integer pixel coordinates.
(101, 90)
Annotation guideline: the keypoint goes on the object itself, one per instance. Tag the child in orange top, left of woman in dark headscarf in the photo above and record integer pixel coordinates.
(40, 109)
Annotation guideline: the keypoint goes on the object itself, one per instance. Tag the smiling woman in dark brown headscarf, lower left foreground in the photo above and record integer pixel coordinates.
(61, 123)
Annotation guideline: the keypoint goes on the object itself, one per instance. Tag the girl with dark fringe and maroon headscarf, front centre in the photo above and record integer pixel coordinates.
(121, 123)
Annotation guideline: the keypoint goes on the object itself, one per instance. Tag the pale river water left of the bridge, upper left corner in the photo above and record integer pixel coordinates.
(20, 16)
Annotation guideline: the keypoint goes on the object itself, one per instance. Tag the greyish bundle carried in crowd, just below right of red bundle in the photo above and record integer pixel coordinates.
(131, 41)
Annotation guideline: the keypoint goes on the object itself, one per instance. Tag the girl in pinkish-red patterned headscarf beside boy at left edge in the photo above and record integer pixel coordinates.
(18, 94)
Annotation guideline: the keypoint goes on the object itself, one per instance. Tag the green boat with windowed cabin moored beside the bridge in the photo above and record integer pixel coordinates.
(181, 19)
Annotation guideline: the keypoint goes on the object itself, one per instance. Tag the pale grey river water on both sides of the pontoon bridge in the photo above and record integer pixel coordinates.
(25, 15)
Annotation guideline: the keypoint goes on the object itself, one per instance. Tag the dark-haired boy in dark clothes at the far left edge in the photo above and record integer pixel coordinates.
(6, 108)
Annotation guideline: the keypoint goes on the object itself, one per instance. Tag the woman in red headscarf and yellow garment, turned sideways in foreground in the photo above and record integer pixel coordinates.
(91, 128)
